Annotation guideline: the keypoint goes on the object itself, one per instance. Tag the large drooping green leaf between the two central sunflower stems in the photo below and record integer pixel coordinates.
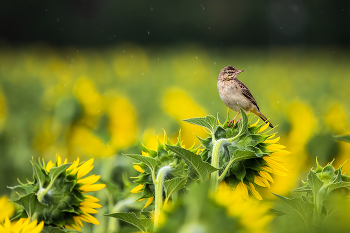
(201, 168)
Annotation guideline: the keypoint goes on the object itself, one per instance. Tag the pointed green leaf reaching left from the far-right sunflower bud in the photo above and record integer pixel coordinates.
(303, 208)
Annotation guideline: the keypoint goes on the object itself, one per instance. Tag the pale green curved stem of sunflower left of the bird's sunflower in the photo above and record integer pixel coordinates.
(159, 194)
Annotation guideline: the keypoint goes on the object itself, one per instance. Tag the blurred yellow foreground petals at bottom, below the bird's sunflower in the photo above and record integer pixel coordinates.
(253, 217)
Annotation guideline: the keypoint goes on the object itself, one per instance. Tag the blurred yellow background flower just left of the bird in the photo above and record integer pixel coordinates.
(178, 104)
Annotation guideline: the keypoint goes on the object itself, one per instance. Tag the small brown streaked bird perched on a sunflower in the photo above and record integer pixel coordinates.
(234, 93)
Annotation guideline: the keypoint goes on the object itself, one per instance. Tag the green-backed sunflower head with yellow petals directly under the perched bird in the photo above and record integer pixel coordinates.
(247, 153)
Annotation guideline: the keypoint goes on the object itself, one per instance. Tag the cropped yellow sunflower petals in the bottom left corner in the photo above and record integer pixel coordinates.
(23, 225)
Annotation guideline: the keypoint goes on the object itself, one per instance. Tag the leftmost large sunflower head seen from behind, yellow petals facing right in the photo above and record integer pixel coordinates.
(60, 189)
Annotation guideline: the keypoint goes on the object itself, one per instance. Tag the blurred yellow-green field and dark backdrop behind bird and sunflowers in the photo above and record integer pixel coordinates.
(96, 78)
